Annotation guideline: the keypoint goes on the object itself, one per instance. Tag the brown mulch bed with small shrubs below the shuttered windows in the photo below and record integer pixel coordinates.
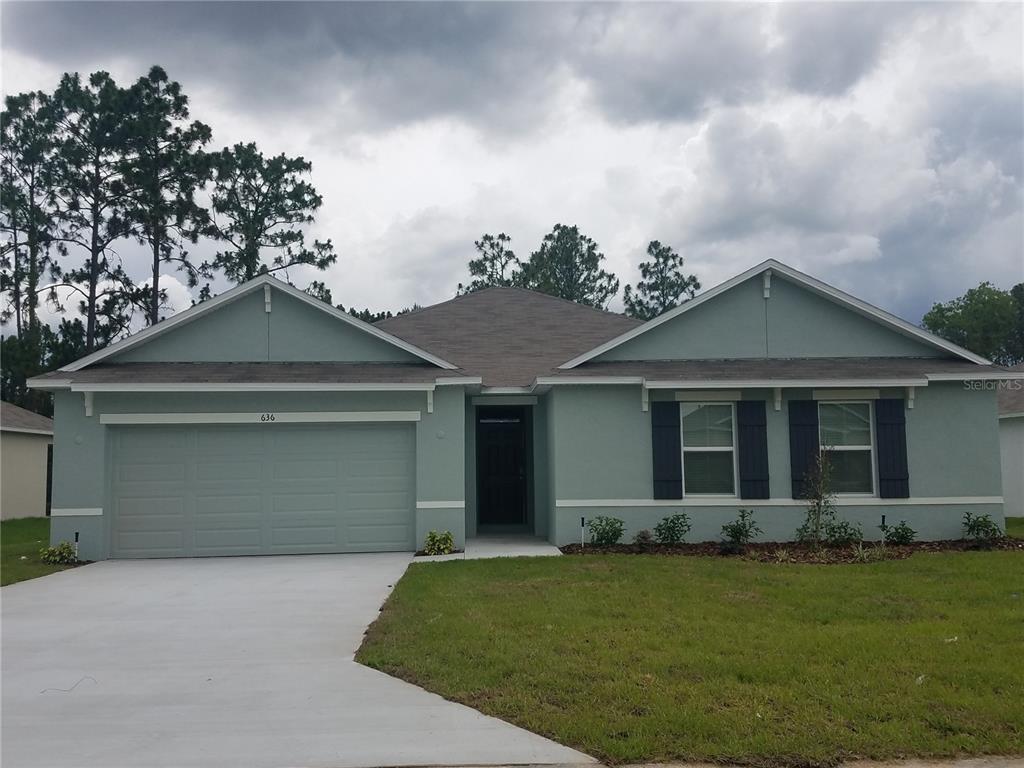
(791, 552)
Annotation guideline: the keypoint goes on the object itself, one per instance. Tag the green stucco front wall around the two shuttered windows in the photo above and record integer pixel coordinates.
(602, 450)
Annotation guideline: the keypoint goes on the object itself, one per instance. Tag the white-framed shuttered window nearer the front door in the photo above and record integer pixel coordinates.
(709, 443)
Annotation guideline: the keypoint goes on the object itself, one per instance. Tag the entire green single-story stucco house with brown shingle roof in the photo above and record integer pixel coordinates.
(265, 421)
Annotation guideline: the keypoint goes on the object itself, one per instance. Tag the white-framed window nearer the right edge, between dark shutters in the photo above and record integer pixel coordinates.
(846, 433)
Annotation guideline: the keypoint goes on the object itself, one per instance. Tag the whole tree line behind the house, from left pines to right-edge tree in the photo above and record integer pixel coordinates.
(93, 166)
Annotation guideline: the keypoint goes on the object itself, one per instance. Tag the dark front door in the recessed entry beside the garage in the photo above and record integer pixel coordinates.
(501, 465)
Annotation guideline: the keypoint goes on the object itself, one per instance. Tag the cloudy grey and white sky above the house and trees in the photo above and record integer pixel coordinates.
(877, 146)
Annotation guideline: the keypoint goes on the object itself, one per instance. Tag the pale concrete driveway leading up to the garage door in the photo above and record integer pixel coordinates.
(225, 662)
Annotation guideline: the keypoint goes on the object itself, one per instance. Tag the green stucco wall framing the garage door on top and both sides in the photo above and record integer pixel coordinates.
(81, 451)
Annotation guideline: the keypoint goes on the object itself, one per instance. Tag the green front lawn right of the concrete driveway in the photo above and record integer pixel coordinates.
(646, 659)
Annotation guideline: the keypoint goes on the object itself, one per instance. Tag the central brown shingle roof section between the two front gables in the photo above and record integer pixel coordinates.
(508, 336)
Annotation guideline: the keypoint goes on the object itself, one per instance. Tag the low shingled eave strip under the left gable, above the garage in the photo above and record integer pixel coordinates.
(224, 375)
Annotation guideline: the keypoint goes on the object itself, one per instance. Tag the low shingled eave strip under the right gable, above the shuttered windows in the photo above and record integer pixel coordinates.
(762, 372)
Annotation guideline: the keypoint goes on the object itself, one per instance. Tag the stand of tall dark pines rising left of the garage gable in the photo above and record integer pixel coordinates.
(93, 166)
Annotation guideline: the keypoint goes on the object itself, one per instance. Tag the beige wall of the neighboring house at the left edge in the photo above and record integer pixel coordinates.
(23, 475)
